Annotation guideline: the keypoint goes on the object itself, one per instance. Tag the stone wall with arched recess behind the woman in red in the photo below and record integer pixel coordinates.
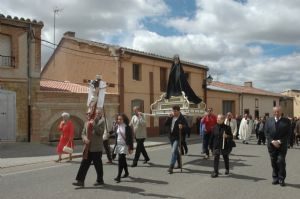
(47, 110)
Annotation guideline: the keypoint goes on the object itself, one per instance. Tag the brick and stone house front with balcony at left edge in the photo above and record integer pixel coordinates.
(20, 66)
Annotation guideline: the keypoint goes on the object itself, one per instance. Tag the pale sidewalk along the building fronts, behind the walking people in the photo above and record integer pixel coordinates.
(20, 153)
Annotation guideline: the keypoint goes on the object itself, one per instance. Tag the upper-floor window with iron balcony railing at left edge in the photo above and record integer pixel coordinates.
(6, 60)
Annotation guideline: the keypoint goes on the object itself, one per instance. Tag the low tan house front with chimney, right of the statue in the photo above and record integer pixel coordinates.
(242, 99)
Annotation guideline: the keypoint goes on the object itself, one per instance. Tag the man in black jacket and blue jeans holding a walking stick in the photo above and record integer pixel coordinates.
(175, 124)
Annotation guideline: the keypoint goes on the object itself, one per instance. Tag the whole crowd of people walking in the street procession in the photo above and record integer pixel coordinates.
(218, 133)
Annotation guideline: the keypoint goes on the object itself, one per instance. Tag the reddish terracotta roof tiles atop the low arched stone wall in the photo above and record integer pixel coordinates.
(58, 86)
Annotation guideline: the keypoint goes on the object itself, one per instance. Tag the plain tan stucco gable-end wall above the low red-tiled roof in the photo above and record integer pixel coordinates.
(75, 66)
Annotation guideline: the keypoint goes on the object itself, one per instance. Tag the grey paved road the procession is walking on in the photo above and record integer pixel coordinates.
(250, 178)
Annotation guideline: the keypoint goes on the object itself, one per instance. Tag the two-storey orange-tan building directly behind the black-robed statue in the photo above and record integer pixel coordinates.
(138, 78)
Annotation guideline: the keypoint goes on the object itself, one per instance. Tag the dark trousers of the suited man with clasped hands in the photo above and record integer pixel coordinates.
(278, 164)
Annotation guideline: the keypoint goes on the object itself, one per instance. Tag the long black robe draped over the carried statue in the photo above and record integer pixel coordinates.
(178, 82)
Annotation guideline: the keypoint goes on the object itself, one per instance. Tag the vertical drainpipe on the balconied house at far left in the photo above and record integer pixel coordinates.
(29, 80)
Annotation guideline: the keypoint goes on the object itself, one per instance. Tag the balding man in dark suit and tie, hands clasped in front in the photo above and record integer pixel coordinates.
(277, 131)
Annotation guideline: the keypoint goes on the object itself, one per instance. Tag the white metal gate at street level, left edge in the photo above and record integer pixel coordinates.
(7, 115)
